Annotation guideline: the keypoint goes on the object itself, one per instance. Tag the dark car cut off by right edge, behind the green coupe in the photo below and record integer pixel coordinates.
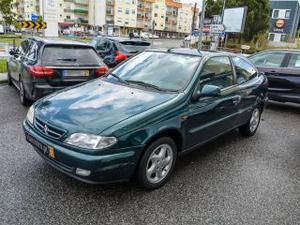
(282, 68)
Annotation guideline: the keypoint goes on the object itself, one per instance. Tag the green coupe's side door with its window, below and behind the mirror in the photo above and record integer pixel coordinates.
(212, 116)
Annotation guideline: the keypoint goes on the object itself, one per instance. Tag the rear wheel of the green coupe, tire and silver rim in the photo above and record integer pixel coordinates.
(250, 128)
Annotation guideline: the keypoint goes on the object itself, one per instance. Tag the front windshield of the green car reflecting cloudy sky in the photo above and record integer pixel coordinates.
(164, 71)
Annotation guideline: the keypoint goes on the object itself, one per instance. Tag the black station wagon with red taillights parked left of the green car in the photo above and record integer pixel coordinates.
(39, 67)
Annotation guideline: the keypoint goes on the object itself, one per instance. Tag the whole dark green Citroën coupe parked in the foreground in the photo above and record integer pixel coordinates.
(135, 121)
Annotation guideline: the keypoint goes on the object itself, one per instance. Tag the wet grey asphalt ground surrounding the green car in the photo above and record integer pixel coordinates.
(233, 180)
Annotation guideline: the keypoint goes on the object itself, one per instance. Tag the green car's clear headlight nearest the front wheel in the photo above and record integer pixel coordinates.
(90, 141)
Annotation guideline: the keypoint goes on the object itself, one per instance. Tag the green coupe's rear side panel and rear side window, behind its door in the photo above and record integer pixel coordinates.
(248, 80)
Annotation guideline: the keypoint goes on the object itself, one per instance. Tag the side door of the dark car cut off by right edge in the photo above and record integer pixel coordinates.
(288, 80)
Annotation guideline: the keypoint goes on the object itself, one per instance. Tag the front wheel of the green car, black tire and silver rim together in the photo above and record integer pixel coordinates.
(157, 163)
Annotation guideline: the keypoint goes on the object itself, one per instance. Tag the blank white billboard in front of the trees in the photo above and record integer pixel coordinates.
(234, 19)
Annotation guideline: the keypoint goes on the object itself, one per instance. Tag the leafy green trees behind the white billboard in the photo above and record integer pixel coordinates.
(258, 16)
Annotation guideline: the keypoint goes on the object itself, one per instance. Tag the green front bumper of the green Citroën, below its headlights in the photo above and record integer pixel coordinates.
(108, 168)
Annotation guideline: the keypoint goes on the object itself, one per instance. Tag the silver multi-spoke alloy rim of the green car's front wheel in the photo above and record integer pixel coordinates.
(159, 163)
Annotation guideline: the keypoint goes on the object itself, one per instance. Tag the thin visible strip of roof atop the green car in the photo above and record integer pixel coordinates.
(194, 52)
